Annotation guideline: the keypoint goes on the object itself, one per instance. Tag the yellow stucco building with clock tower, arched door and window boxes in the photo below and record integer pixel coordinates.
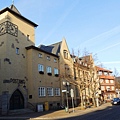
(28, 74)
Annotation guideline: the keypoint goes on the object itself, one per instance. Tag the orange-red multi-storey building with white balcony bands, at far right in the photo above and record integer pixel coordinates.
(107, 83)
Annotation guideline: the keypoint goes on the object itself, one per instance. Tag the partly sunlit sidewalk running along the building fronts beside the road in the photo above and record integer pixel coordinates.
(54, 115)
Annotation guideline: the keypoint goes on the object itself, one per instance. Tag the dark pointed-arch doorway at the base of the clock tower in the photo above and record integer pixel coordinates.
(16, 100)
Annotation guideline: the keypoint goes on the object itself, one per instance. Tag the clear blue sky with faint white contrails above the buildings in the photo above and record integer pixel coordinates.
(87, 25)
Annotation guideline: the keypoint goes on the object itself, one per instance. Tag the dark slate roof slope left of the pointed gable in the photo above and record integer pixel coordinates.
(53, 48)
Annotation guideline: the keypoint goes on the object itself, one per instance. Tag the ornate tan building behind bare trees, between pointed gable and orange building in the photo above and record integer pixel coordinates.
(87, 82)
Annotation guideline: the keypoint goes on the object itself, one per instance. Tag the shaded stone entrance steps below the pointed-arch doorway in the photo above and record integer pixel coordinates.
(20, 111)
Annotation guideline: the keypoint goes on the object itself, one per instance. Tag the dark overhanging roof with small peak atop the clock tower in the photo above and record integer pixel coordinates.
(13, 10)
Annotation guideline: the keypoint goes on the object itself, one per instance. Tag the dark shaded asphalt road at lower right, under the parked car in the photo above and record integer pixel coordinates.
(110, 113)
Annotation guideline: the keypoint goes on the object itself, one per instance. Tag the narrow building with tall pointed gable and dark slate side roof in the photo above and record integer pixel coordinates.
(66, 73)
